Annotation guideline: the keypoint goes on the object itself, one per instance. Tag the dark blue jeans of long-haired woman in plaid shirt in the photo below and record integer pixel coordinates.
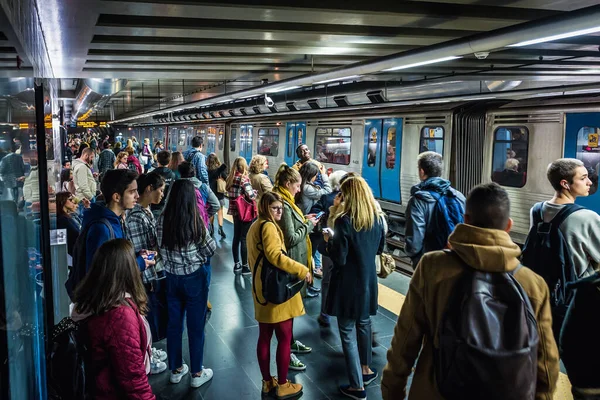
(187, 294)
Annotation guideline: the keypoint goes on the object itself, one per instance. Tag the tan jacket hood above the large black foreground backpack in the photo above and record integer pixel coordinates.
(490, 250)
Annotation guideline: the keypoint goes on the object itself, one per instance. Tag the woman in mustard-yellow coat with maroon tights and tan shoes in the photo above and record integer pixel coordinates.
(266, 238)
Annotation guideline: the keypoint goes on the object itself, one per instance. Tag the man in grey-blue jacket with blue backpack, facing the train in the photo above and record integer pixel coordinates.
(421, 205)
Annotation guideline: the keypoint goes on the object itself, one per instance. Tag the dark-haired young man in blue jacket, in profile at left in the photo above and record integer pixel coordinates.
(119, 188)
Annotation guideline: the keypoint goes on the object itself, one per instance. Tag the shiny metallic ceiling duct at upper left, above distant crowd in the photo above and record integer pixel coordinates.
(94, 94)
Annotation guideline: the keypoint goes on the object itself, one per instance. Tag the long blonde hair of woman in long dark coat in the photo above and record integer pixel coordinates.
(359, 203)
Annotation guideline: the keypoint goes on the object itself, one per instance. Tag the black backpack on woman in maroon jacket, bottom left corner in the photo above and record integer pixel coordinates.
(68, 356)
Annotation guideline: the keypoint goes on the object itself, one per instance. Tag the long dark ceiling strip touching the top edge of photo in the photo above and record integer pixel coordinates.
(429, 8)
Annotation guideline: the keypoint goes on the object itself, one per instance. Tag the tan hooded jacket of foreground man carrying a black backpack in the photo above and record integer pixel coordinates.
(430, 289)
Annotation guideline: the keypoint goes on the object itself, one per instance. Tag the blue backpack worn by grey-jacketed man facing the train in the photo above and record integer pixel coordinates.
(447, 213)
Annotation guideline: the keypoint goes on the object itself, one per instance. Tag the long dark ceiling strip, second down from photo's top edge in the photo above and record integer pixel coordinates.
(140, 21)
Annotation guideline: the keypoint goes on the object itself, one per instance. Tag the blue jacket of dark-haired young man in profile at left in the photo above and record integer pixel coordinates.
(99, 233)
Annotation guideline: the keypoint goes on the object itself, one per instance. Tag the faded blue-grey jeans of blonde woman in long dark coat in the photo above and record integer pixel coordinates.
(356, 344)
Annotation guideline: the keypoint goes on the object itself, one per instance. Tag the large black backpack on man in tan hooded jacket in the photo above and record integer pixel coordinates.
(488, 340)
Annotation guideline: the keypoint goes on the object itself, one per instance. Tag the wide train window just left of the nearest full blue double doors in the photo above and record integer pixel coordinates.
(332, 145)
